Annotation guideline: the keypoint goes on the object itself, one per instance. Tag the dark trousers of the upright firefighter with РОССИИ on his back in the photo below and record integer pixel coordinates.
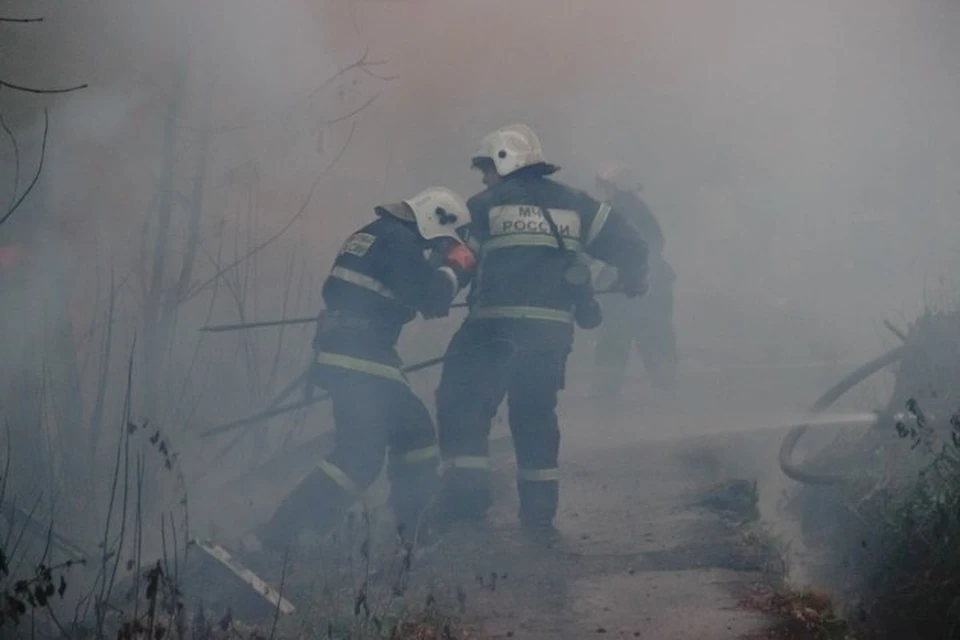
(479, 371)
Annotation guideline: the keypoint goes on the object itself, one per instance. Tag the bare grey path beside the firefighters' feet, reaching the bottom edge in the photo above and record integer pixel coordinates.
(639, 556)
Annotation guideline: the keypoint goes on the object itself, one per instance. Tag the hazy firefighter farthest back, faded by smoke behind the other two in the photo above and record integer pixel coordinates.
(648, 323)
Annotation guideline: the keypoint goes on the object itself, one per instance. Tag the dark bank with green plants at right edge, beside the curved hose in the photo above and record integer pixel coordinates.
(890, 536)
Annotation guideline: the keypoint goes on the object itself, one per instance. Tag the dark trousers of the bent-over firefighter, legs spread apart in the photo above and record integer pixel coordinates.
(374, 413)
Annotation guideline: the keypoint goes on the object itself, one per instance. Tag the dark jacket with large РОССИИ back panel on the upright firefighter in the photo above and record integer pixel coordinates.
(520, 270)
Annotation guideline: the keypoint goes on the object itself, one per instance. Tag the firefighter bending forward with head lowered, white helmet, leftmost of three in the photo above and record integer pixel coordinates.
(379, 281)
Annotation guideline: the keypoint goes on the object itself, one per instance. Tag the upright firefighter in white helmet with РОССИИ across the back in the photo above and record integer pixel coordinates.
(531, 287)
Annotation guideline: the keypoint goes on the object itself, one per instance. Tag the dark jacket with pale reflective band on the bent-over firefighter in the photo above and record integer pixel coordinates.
(380, 280)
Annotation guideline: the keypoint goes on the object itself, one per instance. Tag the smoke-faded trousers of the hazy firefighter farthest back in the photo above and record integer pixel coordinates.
(646, 322)
